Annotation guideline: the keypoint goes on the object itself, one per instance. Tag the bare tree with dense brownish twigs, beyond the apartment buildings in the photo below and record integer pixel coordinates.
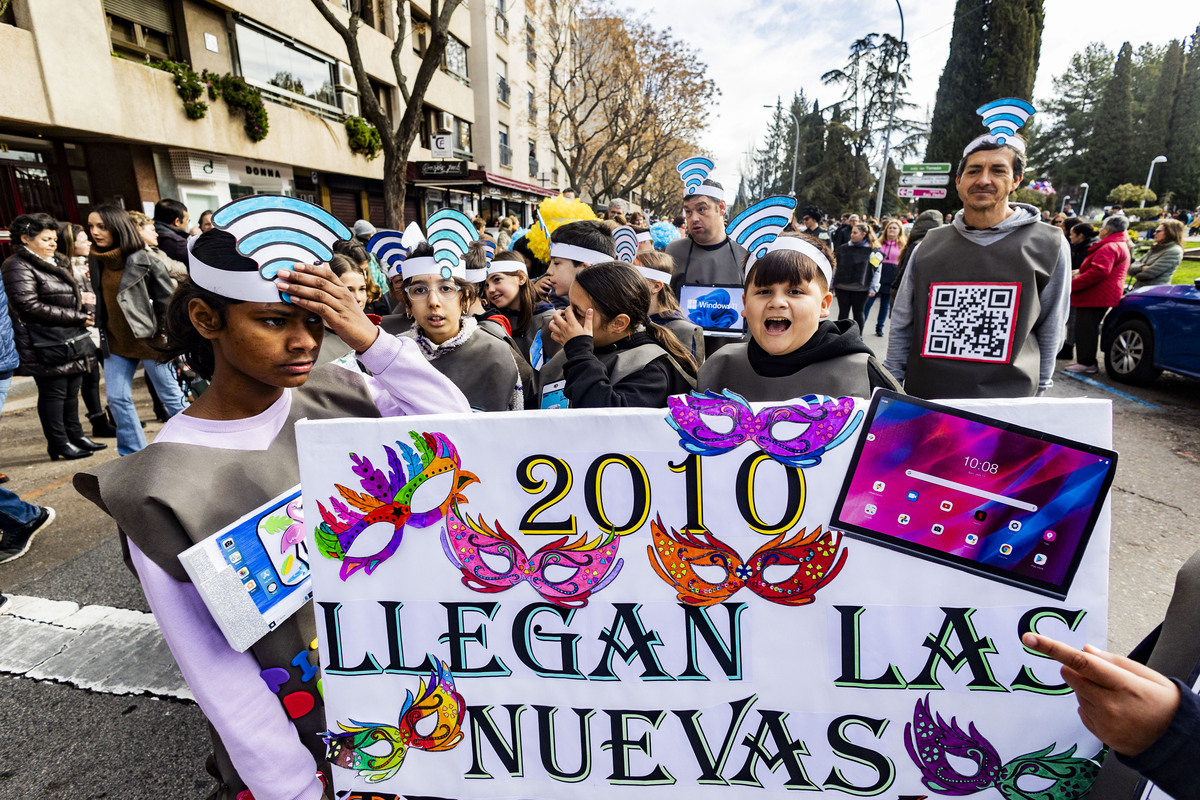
(622, 98)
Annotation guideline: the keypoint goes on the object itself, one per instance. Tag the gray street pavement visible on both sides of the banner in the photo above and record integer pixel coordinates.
(88, 687)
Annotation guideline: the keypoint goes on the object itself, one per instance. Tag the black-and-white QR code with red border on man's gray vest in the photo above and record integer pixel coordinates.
(971, 322)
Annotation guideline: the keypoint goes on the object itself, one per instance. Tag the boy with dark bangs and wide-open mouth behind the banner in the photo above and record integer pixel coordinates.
(795, 350)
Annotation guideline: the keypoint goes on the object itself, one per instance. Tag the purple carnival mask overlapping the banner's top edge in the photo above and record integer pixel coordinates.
(829, 423)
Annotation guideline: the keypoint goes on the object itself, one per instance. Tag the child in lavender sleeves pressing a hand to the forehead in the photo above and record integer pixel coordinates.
(233, 452)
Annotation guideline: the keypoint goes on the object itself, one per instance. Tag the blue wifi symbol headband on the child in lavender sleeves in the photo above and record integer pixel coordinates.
(274, 233)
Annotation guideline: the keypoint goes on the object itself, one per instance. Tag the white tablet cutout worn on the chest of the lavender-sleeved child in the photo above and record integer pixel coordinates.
(254, 574)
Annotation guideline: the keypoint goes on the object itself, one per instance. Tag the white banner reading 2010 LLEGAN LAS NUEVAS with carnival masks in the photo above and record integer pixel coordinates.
(512, 606)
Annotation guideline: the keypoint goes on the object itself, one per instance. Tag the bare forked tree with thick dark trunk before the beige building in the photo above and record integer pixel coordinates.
(397, 143)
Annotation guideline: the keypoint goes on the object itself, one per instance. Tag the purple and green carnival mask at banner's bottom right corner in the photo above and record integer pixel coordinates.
(929, 741)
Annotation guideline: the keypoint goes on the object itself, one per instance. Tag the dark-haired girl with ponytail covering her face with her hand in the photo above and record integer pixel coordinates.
(613, 354)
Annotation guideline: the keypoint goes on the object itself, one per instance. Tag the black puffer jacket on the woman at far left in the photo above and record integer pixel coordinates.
(44, 294)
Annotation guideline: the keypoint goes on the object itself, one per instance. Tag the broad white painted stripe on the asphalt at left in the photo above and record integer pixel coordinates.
(98, 648)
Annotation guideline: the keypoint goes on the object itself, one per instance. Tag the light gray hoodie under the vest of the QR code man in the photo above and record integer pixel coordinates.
(1054, 299)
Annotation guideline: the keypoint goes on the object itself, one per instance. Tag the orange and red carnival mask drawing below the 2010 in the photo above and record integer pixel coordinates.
(815, 557)
